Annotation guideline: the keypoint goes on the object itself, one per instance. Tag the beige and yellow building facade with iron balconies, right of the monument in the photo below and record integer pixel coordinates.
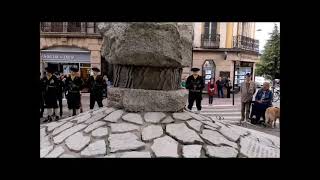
(226, 49)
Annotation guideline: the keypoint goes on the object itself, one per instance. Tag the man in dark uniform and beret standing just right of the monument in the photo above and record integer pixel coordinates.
(195, 84)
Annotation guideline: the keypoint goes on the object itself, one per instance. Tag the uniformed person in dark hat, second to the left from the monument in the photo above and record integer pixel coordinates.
(73, 86)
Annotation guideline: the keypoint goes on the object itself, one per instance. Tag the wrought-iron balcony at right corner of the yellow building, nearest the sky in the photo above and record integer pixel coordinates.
(246, 43)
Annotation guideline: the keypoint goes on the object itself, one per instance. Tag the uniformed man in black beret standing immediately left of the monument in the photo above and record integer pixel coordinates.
(96, 86)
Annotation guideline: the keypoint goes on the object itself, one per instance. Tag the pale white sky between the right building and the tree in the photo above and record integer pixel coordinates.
(263, 35)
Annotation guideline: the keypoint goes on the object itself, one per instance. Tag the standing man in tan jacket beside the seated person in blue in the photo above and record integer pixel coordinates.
(247, 90)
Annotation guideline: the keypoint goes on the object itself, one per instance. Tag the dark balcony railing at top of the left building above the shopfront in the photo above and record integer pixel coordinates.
(69, 29)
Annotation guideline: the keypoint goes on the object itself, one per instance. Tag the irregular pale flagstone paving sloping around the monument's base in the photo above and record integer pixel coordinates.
(114, 133)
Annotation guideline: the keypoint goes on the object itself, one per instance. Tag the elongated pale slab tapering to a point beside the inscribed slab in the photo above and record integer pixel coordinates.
(216, 138)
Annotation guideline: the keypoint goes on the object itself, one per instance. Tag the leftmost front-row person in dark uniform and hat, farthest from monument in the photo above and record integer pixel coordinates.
(50, 85)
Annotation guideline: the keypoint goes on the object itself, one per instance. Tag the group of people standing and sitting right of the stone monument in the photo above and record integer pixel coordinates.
(263, 99)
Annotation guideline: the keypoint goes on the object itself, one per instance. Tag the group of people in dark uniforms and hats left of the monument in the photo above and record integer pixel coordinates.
(53, 86)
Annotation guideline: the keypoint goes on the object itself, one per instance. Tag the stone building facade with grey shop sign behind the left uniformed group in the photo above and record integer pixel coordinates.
(64, 44)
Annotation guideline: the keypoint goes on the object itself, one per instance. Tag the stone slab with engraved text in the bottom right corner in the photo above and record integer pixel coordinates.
(254, 149)
